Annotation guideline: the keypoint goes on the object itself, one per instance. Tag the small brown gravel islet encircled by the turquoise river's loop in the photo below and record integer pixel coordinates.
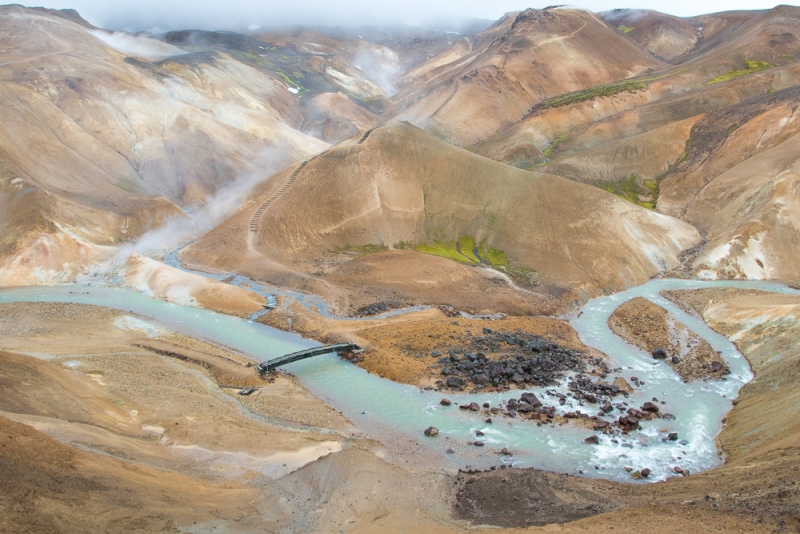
(649, 326)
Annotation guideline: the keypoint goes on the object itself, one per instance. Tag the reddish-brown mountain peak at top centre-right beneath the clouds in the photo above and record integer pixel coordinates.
(493, 79)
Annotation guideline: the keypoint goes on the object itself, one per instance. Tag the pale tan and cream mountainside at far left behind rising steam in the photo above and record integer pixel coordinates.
(99, 146)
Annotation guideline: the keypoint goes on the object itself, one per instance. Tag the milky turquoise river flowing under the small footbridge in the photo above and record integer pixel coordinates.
(396, 414)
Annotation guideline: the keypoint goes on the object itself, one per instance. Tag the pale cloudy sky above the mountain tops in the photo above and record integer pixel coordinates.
(136, 15)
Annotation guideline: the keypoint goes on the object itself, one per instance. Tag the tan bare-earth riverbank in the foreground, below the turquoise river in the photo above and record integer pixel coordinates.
(89, 387)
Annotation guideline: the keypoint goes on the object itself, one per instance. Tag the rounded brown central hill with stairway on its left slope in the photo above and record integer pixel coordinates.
(403, 189)
